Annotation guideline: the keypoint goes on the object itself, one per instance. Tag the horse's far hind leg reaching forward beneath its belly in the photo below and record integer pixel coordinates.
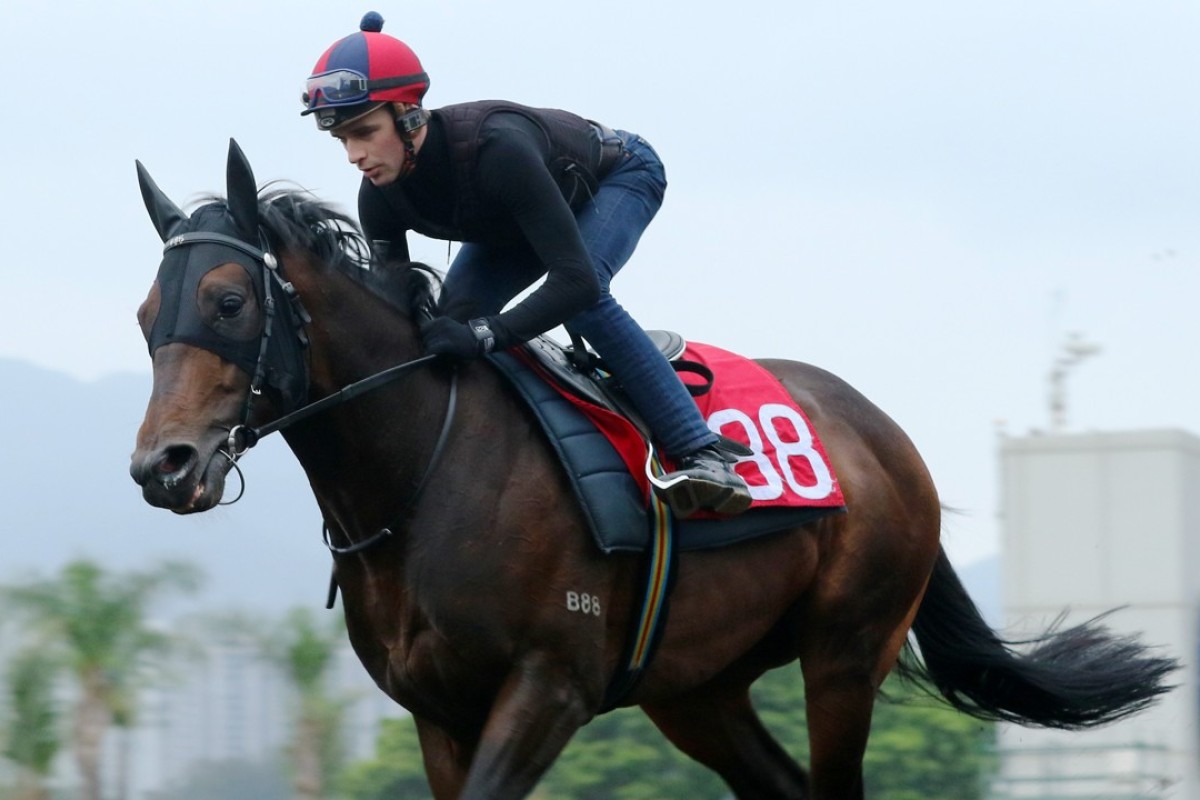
(722, 731)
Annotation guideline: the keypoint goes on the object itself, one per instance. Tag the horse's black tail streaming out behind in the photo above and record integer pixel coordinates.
(1075, 678)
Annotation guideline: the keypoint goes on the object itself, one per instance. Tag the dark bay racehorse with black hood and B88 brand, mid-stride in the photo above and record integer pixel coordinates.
(457, 538)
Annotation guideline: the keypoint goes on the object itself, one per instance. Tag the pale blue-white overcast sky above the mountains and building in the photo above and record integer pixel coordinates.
(927, 199)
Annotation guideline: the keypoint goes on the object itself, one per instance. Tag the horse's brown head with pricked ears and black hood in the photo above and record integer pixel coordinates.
(225, 336)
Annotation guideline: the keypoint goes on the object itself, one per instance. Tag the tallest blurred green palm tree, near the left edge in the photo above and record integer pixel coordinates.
(99, 622)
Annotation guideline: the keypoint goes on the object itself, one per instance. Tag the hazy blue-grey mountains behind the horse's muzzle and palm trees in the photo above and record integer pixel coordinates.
(67, 492)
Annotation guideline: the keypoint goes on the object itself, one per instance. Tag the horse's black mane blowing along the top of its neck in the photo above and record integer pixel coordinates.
(298, 221)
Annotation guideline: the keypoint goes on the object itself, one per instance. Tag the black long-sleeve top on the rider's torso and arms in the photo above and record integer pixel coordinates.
(513, 193)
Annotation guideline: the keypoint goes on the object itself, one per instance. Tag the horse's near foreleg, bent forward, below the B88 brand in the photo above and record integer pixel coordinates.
(537, 712)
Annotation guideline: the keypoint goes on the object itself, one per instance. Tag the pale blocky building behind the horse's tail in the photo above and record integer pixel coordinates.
(1095, 522)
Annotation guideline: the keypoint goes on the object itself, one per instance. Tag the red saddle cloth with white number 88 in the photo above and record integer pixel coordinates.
(747, 404)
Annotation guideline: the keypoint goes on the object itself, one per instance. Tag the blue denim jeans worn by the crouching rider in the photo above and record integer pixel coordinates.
(611, 225)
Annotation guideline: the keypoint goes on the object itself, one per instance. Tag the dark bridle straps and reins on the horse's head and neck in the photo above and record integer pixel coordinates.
(292, 315)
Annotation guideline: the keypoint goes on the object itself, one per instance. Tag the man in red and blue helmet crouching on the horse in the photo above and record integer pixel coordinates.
(531, 194)
